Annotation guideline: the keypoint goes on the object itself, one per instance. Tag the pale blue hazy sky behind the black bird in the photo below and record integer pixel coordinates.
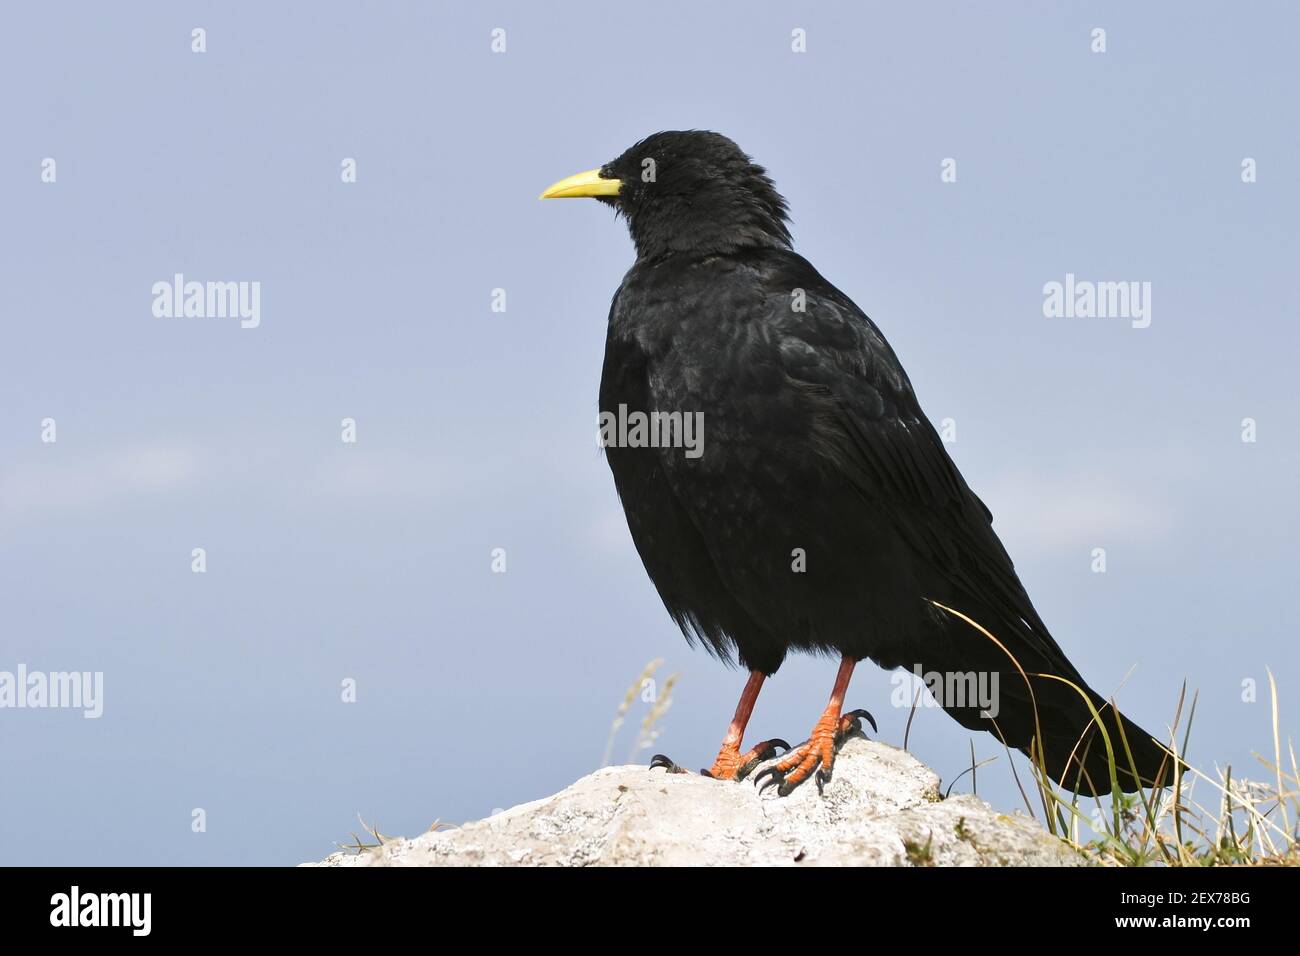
(476, 429)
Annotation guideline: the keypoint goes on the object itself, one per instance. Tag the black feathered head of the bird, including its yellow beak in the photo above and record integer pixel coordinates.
(687, 192)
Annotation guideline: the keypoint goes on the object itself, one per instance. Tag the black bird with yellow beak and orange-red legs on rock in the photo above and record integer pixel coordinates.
(824, 513)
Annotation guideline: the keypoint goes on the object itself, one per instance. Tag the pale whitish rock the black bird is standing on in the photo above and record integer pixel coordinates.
(883, 808)
